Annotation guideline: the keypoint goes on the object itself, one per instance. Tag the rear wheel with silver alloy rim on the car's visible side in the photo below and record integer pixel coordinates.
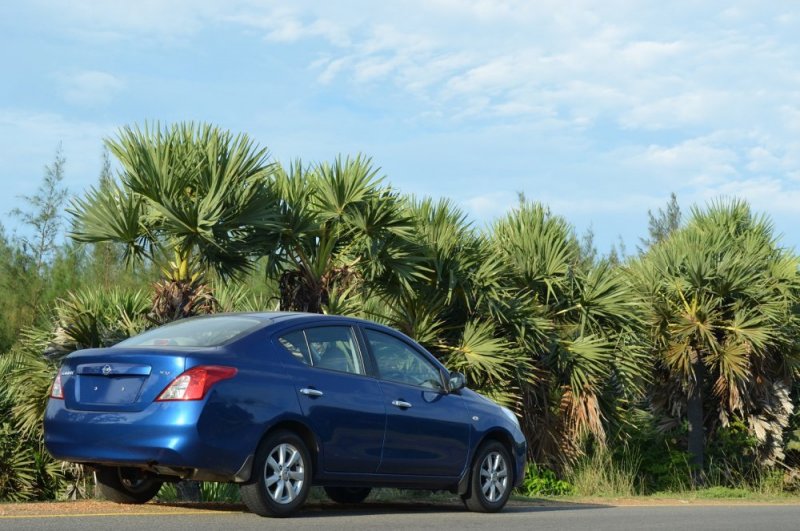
(281, 478)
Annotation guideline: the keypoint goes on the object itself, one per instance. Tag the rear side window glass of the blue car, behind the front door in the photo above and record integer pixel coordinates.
(325, 347)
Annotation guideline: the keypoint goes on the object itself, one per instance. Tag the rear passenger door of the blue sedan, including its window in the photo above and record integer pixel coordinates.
(343, 405)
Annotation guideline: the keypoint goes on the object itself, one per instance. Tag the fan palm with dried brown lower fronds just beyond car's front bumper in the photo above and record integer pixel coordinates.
(576, 327)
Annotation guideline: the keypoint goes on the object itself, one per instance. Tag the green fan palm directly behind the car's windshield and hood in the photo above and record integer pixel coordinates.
(449, 303)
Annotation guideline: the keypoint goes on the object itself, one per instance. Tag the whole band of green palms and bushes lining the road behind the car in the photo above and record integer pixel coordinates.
(670, 370)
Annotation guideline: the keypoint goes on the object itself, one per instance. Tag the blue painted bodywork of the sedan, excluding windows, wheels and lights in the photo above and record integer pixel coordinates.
(110, 416)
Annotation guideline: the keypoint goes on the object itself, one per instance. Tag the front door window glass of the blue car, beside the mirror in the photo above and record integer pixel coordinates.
(398, 362)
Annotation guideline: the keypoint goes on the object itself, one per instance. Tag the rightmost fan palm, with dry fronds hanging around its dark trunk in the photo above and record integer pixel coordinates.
(719, 296)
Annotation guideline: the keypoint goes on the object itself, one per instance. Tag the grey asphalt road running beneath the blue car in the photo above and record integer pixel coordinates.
(451, 518)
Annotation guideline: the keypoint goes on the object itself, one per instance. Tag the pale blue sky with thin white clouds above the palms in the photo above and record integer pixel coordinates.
(598, 109)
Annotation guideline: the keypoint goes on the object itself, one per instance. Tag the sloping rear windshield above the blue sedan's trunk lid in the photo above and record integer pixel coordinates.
(204, 332)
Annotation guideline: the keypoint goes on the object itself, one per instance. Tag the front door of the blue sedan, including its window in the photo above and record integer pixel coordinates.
(427, 429)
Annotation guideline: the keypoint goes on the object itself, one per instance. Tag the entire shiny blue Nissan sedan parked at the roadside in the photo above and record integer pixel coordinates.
(278, 402)
